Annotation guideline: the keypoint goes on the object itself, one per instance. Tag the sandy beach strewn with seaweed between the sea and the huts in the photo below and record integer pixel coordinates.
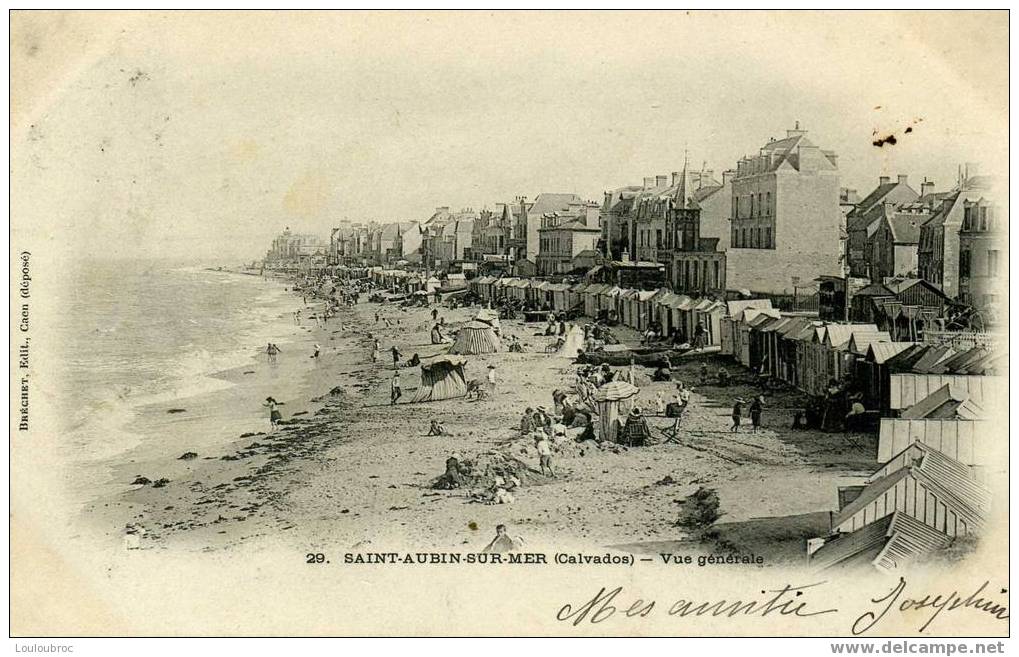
(350, 472)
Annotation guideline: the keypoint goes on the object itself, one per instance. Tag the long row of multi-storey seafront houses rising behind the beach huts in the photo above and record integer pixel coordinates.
(778, 226)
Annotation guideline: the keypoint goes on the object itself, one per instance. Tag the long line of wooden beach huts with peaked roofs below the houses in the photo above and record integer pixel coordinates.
(935, 445)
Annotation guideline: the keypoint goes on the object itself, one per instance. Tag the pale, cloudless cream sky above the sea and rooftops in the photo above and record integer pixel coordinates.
(139, 135)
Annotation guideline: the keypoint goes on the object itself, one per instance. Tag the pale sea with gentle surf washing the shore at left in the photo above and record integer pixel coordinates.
(139, 336)
